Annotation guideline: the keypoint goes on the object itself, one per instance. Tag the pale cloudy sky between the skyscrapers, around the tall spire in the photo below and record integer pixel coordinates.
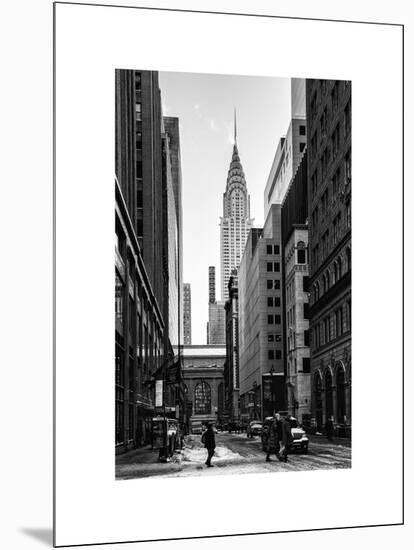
(204, 104)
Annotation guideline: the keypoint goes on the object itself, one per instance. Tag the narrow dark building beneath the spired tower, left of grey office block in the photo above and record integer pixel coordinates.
(231, 368)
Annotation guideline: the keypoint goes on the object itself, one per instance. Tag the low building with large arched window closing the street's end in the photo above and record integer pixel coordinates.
(203, 368)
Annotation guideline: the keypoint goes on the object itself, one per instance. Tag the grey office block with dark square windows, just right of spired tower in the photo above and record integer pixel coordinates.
(262, 377)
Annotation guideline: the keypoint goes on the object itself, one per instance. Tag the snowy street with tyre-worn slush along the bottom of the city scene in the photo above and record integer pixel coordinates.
(234, 454)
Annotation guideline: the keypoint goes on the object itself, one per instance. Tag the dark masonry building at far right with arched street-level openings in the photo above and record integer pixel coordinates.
(328, 105)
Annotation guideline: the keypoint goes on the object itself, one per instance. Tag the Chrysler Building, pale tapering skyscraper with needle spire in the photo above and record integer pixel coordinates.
(235, 223)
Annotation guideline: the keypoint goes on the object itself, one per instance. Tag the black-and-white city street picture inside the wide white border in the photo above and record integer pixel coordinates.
(232, 274)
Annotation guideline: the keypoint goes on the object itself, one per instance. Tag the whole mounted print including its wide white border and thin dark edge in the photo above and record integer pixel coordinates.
(238, 370)
